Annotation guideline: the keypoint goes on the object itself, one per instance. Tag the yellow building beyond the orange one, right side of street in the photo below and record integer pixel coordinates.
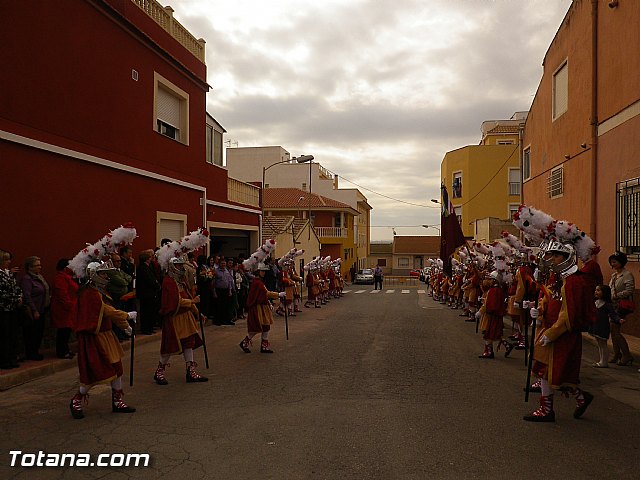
(485, 180)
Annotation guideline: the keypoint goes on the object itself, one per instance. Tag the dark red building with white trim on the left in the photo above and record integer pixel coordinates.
(103, 121)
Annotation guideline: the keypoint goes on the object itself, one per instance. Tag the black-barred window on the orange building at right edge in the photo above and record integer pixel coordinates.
(628, 210)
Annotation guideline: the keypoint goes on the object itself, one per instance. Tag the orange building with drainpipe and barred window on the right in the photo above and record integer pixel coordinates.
(581, 148)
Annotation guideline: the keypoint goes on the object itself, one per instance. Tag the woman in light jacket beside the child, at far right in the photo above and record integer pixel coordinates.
(622, 286)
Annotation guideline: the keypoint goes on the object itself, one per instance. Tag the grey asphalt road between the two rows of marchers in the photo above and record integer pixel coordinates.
(382, 386)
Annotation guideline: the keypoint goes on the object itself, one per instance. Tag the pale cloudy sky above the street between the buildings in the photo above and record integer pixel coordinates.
(377, 90)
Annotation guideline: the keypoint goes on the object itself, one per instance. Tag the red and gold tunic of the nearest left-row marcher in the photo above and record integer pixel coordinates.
(99, 352)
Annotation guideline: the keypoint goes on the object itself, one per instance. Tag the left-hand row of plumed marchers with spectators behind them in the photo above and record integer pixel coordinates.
(102, 296)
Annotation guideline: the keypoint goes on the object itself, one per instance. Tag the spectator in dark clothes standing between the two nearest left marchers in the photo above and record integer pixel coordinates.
(148, 292)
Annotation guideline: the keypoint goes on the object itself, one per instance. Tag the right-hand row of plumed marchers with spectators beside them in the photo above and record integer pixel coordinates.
(552, 293)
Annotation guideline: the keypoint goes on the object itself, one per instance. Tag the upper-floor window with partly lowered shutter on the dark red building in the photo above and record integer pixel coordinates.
(171, 110)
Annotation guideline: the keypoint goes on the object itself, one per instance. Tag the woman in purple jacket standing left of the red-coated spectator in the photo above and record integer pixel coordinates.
(36, 299)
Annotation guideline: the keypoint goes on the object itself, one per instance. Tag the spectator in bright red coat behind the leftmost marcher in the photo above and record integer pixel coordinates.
(64, 295)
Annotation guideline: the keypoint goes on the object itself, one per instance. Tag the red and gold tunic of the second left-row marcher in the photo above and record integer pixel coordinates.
(179, 328)
